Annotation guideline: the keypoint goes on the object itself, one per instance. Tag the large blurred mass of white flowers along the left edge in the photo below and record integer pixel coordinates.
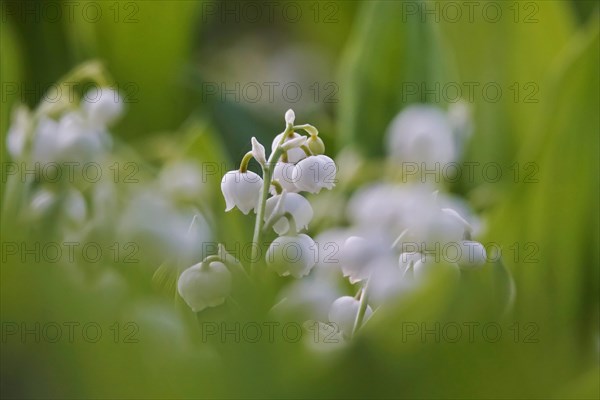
(70, 181)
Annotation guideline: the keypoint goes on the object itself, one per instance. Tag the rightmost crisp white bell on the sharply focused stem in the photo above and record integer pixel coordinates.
(314, 173)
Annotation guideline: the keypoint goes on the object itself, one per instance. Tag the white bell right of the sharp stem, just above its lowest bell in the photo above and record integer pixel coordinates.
(296, 205)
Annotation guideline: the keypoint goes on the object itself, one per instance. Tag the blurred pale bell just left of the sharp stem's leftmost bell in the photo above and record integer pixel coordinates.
(182, 180)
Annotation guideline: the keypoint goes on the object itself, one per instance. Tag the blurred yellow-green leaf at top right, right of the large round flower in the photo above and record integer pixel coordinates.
(505, 60)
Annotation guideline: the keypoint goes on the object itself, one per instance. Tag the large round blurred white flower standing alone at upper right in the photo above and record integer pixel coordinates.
(421, 134)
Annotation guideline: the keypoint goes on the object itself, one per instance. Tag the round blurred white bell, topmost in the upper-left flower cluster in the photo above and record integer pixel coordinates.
(102, 106)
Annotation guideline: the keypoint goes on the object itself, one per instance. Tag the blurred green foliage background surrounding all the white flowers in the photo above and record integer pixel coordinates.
(190, 72)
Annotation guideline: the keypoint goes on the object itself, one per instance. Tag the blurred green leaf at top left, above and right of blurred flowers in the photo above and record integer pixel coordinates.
(145, 46)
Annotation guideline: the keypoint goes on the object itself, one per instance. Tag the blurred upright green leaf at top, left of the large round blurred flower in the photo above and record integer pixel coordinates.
(386, 51)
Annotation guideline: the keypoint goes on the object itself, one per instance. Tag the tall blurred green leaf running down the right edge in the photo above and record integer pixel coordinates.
(556, 219)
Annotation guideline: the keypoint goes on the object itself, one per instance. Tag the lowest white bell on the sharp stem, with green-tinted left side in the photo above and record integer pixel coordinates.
(292, 255)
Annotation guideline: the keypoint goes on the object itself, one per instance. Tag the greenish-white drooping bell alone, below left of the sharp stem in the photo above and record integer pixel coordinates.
(205, 285)
